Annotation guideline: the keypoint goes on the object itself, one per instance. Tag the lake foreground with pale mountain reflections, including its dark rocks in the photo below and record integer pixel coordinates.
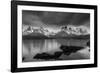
(54, 49)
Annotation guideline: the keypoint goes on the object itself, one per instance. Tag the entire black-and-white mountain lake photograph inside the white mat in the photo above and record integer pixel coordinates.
(50, 36)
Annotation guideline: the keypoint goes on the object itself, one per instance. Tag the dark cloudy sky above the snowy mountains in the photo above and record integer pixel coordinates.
(54, 18)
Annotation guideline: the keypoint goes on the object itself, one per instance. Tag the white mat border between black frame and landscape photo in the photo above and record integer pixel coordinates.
(20, 64)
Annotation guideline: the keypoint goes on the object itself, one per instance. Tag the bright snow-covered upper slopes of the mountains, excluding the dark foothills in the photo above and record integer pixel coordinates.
(69, 29)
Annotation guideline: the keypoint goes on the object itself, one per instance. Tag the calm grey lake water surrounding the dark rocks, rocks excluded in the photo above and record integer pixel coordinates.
(50, 46)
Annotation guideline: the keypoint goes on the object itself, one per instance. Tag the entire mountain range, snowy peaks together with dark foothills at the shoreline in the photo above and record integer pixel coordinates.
(65, 31)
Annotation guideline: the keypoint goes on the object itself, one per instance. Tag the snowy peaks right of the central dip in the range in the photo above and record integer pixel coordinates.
(77, 30)
